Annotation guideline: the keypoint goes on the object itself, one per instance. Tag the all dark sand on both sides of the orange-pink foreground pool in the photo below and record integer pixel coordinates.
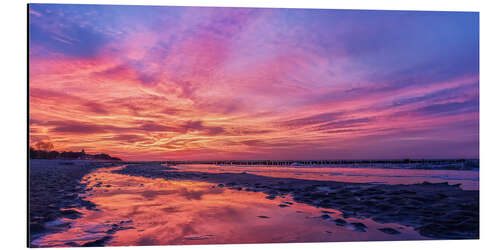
(438, 211)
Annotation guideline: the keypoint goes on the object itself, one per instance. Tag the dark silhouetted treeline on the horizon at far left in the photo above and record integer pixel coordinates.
(42, 154)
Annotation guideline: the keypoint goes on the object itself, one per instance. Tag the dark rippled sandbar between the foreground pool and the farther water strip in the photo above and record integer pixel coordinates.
(438, 210)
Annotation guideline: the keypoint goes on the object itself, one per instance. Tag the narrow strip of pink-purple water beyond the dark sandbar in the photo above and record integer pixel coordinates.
(469, 179)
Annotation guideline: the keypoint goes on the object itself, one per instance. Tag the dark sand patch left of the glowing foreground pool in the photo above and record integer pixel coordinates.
(54, 189)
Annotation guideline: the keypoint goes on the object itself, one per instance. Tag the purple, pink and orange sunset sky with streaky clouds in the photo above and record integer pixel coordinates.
(201, 83)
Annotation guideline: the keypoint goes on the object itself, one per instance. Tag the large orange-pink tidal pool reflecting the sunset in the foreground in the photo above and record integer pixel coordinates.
(146, 211)
